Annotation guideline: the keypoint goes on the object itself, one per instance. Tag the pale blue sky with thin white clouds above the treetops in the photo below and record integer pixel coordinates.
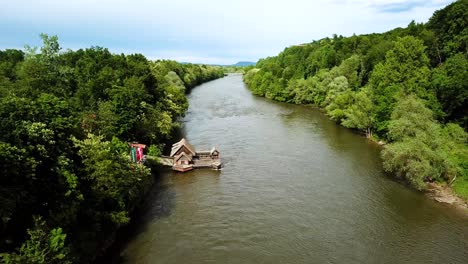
(201, 31)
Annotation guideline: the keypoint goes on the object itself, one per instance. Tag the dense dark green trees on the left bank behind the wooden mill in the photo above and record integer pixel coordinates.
(66, 180)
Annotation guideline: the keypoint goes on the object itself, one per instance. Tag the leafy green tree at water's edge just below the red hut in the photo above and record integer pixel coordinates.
(113, 179)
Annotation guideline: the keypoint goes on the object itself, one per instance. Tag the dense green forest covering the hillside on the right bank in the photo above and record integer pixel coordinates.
(407, 87)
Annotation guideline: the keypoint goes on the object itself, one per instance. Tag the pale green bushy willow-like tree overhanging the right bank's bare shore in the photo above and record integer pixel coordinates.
(422, 150)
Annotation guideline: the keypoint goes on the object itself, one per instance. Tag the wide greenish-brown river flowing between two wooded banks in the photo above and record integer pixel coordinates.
(296, 188)
